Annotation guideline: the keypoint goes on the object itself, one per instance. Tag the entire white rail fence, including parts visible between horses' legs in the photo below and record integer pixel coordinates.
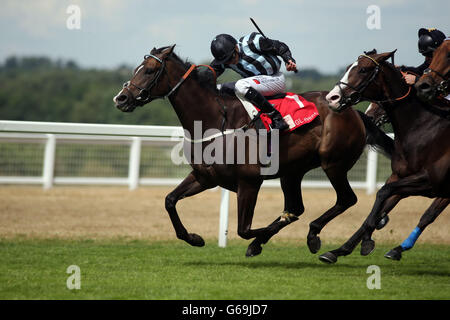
(53, 135)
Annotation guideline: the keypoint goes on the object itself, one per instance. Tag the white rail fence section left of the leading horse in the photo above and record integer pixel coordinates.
(76, 133)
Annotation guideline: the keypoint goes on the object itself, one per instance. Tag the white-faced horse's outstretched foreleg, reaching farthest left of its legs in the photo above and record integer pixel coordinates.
(417, 184)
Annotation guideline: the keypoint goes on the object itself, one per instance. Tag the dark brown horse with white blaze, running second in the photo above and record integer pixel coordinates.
(421, 159)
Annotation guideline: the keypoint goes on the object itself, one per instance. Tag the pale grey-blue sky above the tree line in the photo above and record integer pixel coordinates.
(326, 35)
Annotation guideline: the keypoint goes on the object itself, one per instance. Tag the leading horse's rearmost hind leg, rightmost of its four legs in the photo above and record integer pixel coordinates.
(345, 199)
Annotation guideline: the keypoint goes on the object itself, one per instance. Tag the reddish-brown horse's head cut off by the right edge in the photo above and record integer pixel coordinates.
(435, 80)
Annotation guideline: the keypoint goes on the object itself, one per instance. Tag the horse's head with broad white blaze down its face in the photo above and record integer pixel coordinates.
(359, 81)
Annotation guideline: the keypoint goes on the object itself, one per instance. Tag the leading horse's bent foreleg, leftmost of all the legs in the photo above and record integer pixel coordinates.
(189, 187)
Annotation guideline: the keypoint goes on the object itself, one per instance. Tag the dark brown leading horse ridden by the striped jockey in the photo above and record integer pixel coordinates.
(194, 97)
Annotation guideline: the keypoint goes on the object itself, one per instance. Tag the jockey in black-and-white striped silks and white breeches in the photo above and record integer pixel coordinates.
(254, 57)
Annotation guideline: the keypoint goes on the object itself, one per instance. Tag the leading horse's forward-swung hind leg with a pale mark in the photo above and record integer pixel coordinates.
(293, 207)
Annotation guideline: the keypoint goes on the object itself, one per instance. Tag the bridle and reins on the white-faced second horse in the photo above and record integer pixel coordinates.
(357, 95)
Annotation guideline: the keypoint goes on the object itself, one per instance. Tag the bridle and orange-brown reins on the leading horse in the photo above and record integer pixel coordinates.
(144, 94)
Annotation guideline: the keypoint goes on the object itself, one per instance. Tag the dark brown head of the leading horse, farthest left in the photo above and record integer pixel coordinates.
(149, 81)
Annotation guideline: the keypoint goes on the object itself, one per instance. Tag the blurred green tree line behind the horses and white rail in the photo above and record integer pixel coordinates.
(42, 89)
